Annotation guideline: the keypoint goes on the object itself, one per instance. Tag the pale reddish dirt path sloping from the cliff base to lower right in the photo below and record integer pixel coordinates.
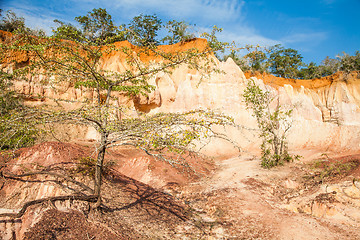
(248, 202)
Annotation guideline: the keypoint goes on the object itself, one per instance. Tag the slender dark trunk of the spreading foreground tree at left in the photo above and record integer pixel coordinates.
(98, 169)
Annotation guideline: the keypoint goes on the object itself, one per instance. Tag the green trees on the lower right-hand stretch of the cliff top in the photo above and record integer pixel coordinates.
(287, 63)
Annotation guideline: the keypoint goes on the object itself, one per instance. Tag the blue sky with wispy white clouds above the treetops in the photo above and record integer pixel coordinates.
(316, 28)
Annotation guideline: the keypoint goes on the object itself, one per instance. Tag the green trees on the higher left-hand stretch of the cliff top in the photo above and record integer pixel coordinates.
(98, 27)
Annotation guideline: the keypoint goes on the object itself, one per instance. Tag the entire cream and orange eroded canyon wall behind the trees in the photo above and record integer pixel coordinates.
(326, 112)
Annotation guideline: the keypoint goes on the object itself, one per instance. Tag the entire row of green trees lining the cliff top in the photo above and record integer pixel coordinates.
(98, 27)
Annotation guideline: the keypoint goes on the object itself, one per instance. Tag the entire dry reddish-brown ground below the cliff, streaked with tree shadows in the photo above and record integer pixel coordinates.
(317, 197)
